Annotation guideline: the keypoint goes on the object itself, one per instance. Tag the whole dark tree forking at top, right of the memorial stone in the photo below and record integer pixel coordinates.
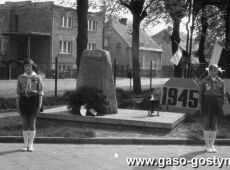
(138, 8)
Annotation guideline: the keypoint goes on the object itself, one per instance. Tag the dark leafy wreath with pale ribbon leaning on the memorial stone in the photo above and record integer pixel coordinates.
(88, 101)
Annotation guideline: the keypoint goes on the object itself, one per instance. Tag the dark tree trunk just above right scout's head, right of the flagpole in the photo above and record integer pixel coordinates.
(204, 24)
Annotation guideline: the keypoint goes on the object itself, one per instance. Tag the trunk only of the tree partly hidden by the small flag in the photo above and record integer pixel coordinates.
(175, 44)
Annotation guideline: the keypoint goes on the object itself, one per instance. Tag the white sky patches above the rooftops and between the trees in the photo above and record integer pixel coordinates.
(150, 30)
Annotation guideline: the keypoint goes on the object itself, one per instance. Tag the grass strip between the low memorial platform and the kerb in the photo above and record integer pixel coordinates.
(11, 126)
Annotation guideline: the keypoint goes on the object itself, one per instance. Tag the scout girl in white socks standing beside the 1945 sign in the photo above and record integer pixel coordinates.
(211, 99)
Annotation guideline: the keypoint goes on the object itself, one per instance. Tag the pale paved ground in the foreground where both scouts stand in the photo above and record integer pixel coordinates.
(105, 157)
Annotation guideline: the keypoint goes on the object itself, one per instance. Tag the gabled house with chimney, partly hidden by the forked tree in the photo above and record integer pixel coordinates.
(118, 41)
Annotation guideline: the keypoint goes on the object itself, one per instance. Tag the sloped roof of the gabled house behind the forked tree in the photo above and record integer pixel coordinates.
(146, 43)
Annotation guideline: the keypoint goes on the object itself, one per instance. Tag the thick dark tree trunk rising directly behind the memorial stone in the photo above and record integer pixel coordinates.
(82, 36)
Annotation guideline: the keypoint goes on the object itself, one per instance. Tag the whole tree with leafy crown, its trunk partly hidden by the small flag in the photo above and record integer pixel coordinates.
(171, 12)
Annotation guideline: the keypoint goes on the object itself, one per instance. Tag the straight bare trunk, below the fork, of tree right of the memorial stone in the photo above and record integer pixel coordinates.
(135, 54)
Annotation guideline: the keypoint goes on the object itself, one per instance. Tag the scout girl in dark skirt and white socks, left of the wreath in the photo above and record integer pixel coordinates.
(29, 101)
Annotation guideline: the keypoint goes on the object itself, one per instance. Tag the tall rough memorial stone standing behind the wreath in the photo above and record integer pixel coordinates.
(96, 71)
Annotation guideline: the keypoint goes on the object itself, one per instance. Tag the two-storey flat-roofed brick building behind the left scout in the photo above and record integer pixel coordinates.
(43, 31)
